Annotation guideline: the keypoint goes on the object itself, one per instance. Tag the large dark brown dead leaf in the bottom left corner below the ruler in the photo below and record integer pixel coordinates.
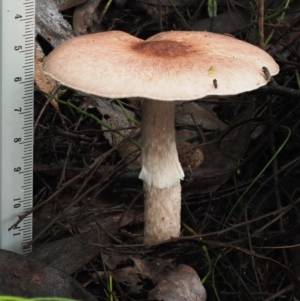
(41, 279)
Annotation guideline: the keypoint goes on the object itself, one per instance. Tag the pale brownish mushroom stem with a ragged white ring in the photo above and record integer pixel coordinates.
(161, 172)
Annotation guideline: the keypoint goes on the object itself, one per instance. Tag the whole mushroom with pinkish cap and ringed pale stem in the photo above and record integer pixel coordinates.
(168, 66)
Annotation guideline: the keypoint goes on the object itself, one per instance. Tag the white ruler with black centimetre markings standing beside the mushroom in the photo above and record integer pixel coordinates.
(16, 121)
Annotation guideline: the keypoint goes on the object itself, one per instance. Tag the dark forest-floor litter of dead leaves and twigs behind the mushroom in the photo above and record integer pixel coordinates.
(240, 208)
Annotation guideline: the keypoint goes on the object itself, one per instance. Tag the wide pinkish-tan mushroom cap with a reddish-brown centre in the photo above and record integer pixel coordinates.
(172, 65)
